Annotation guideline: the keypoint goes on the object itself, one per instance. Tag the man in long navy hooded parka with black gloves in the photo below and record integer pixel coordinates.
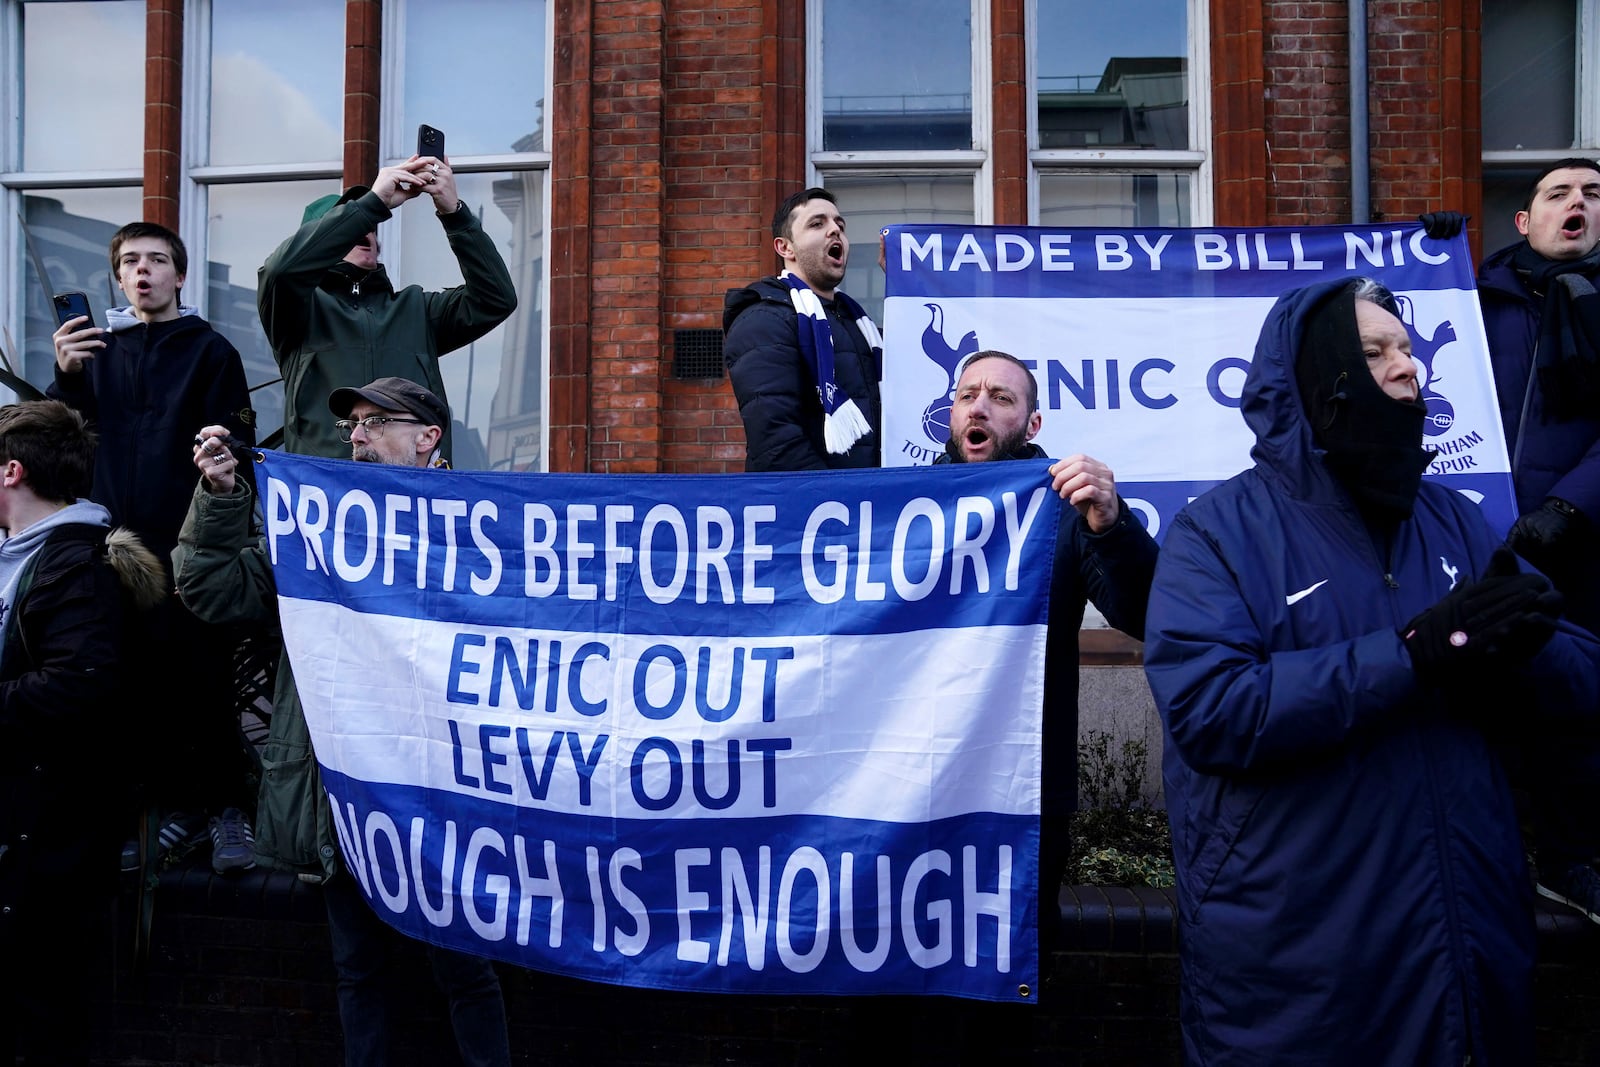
(1334, 647)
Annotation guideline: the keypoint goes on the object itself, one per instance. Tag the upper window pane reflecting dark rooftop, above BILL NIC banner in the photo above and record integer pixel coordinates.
(1113, 74)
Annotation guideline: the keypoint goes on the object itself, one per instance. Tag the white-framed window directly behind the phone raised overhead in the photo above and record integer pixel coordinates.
(489, 94)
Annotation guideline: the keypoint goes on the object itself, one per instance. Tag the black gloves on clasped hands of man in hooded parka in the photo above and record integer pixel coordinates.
(1502, 620)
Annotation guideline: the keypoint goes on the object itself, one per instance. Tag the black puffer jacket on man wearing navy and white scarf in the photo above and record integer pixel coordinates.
(777, 393)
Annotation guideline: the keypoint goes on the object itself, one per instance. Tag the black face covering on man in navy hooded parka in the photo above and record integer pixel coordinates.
(1374, 441)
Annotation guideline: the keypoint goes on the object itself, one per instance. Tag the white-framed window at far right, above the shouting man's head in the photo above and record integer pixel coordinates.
(1542, 100)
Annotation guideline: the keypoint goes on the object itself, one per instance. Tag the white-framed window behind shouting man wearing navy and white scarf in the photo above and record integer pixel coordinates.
(900, 121)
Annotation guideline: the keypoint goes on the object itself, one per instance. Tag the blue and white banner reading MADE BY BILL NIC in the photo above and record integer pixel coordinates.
(1140, 342)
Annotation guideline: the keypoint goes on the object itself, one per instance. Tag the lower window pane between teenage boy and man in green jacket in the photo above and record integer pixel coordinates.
(244, 225)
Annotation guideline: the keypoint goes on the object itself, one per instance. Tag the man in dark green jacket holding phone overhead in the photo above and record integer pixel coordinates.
(332, 314)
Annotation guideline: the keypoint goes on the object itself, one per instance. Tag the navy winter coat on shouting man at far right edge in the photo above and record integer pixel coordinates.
(1548, 458)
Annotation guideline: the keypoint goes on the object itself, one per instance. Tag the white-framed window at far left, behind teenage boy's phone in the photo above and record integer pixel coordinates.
(71, 159)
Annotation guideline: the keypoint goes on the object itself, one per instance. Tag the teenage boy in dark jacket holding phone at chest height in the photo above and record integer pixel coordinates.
(145, 383)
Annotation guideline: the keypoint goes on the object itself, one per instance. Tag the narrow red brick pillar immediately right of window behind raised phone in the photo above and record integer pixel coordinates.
(570, 234)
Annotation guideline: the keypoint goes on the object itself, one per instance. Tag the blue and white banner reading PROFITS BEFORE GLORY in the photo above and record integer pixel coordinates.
(716, 733)
